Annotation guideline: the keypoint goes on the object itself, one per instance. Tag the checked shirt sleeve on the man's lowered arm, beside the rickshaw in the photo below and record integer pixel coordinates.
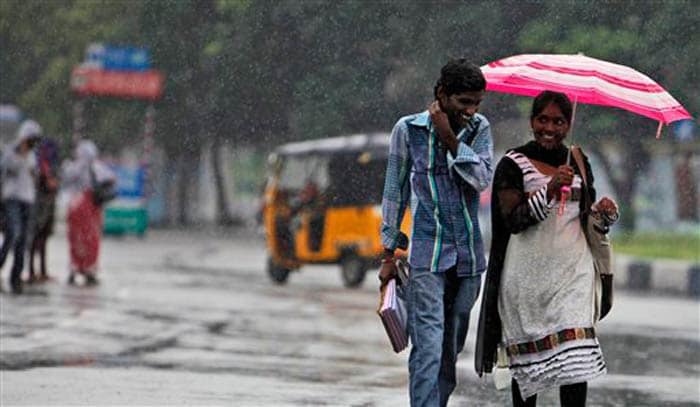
(397, 188)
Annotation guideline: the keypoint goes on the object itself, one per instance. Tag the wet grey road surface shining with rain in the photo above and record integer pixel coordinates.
(191, 318)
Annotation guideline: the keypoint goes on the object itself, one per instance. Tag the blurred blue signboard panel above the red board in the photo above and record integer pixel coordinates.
(114, 58)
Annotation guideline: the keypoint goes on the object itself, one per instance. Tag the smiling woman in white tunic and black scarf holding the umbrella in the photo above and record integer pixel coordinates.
(539, 296)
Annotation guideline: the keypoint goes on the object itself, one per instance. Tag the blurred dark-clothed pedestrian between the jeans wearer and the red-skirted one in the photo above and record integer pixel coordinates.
(46, 190)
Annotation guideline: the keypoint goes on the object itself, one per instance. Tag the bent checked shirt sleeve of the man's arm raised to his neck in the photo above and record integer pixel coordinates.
(474, 163)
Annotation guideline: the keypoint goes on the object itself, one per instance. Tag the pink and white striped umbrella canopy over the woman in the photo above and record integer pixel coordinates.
(586, 80)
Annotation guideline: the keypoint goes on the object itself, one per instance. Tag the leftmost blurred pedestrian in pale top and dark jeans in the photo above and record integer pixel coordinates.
(18, 195)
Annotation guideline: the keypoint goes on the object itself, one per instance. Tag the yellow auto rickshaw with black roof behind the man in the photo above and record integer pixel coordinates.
(322, 205)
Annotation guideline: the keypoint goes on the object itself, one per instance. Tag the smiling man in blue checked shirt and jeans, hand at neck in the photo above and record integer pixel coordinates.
(439, 161)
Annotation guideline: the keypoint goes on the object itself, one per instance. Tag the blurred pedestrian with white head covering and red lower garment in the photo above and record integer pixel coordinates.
(83, 178)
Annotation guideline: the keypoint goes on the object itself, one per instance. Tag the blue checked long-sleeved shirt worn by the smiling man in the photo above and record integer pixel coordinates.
(443, 192)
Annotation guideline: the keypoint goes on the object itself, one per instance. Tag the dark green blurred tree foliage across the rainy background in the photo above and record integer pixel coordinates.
(261, 72)
